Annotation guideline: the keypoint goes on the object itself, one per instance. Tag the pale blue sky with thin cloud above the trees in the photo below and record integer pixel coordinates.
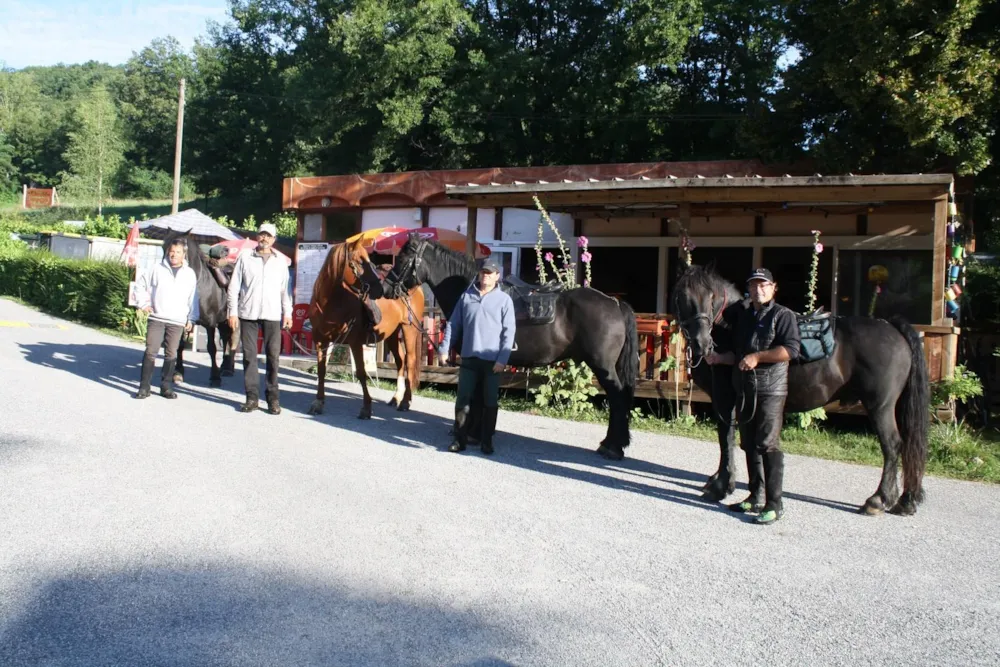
(109, 31)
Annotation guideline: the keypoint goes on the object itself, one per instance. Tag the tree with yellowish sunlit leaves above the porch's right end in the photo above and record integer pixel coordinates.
(892, 86)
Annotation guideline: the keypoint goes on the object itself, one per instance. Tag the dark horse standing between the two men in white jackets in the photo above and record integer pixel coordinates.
(211, 314)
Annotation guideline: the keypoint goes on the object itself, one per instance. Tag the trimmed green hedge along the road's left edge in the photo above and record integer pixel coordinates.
(86, 290)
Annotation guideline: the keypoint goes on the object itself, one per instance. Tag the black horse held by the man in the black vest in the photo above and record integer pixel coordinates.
(877, 362)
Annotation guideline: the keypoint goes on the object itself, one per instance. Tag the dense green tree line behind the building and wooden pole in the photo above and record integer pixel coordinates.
(339, 86)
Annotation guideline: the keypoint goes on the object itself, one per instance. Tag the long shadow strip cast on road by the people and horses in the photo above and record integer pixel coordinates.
(118, 367)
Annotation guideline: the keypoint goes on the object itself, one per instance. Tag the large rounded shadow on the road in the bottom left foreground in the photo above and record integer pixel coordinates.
(221, 616)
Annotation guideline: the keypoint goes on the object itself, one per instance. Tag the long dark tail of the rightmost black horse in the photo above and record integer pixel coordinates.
(913, 414)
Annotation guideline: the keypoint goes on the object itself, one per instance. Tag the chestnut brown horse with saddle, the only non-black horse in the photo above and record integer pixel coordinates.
(338, 315)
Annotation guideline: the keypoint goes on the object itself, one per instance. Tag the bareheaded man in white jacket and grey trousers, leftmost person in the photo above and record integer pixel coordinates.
(168, 294)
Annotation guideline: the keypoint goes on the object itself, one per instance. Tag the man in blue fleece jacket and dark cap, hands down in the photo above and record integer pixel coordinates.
(483, 320)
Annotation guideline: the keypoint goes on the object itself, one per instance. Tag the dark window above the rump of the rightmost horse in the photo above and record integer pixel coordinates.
(906, 289)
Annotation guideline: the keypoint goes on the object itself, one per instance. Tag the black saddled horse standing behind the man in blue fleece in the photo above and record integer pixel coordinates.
(589, 327)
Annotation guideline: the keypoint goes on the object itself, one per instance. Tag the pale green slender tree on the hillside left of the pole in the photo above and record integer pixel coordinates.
(96, 149)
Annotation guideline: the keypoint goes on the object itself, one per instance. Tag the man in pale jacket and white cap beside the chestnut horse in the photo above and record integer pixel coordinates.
(258, 296)
